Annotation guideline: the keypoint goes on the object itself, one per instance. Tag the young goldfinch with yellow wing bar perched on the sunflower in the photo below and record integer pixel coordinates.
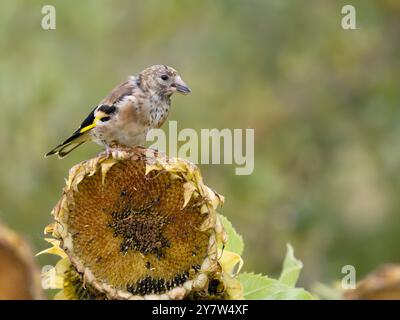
(125, 116)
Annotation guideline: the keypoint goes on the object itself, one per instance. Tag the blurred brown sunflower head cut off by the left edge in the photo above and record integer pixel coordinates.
(19, 274)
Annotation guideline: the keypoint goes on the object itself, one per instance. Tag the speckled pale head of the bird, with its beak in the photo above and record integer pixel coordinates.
(163, 80)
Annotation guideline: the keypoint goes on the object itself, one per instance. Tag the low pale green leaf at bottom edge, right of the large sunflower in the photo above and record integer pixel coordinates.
(259, 287)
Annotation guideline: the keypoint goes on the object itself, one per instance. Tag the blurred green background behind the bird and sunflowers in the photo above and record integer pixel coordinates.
(324, 103)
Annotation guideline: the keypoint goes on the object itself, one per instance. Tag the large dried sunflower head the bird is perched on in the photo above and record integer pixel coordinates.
(139, 225)
